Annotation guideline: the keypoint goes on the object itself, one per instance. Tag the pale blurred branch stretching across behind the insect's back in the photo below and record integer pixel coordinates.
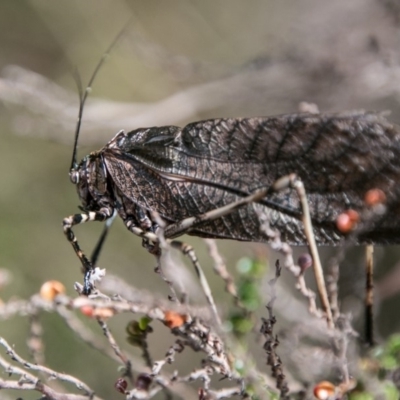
(283, 83)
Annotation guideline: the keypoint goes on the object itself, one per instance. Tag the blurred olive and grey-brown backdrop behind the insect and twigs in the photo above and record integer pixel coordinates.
(177, 62)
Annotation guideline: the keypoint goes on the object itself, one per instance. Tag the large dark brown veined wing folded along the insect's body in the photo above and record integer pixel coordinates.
(338, 157)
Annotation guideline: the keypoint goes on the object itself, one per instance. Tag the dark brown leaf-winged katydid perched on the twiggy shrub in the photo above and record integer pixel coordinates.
(185, 173)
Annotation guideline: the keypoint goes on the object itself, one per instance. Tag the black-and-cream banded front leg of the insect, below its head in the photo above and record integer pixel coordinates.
(76, 219)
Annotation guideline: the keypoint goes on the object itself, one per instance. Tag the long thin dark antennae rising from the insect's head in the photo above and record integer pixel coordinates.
(83, 95)
